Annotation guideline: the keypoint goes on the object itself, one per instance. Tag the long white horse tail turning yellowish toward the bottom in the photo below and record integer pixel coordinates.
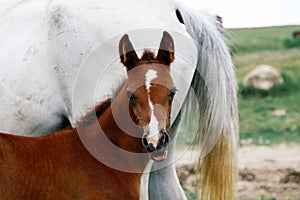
(215, 87)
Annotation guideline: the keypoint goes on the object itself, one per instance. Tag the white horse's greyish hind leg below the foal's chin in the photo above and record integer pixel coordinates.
(163, 180)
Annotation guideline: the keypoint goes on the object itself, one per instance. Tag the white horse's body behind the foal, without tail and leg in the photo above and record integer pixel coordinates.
(58, 59)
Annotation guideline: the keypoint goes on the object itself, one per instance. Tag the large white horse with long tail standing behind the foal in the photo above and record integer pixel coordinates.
(51, 53)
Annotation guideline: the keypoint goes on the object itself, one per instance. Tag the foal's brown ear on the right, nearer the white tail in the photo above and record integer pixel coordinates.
(165, 53)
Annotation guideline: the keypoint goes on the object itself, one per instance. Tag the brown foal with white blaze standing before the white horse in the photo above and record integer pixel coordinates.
(58, 166)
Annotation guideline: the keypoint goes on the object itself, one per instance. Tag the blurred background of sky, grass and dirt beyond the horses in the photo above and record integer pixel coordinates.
(264, 40)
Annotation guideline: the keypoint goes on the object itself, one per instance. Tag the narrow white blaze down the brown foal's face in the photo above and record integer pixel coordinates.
(153, 125)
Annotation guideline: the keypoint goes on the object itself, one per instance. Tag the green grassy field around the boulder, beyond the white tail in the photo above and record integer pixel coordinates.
(258, 123)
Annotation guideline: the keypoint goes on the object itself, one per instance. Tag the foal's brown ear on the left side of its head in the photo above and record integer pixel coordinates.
(127, 53)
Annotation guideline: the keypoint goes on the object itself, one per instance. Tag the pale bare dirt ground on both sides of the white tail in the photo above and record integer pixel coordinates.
(264, 172)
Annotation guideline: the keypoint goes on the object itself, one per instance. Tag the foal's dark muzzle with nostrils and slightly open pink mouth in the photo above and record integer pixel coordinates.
(158, 153)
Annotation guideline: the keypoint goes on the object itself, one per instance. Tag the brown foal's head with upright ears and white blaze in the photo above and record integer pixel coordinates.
(150, 90)
